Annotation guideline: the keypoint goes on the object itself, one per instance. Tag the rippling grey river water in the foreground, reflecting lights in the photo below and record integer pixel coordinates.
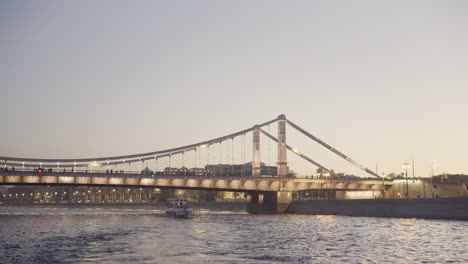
(122, 235)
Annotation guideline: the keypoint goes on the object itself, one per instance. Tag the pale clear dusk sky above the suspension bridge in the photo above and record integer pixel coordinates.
(385, 82)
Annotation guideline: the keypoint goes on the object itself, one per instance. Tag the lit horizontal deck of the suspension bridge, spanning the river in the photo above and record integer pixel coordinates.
(212, 182)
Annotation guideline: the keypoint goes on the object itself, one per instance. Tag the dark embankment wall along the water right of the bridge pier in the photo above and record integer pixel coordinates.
(447, 208)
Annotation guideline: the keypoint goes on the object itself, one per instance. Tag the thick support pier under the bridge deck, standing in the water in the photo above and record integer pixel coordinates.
(268, 202)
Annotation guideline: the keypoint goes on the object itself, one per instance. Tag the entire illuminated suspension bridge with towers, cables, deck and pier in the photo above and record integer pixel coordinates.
(268, 193)
